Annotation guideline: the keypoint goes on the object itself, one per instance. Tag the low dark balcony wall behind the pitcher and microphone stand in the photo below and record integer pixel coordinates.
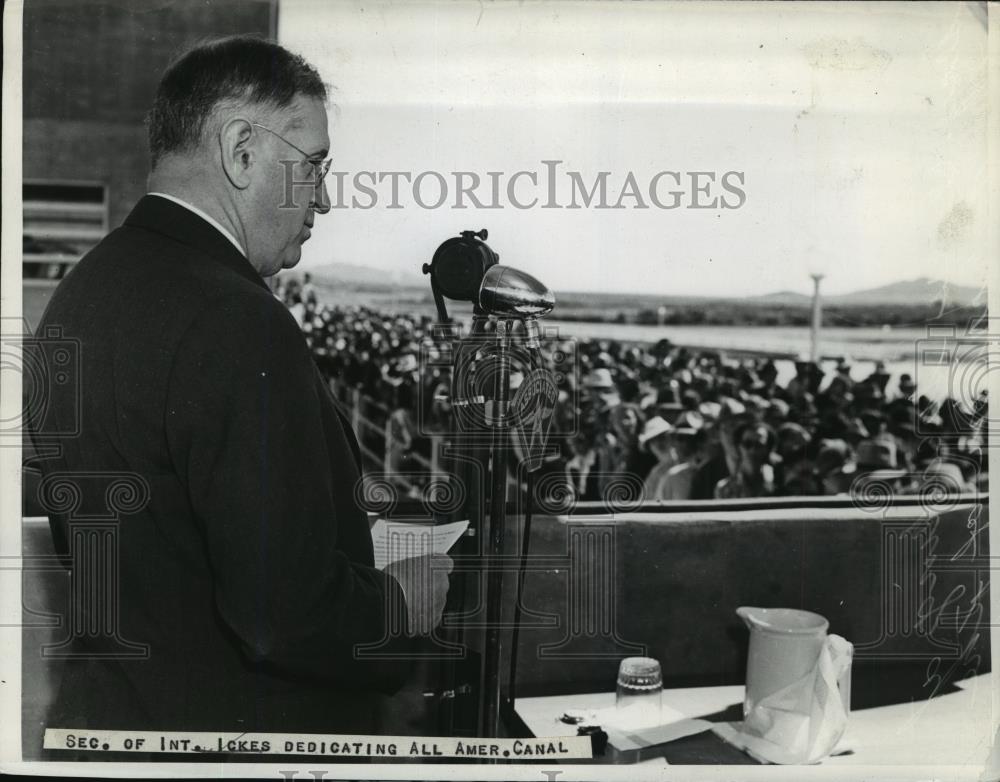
(669, 583)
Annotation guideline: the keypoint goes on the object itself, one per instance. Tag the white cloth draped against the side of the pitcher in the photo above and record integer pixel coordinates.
(803, 722)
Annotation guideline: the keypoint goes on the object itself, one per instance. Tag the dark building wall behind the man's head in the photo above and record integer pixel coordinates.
(90, 73)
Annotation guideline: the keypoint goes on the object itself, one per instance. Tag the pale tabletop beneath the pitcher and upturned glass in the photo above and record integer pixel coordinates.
(952, 729)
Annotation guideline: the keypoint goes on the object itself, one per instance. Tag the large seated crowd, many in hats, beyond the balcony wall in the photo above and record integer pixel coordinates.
(686, 424)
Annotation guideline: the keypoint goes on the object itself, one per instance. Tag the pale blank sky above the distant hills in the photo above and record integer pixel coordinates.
(854, 137)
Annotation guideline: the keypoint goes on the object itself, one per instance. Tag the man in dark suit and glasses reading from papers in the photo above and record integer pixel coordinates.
(247, 572)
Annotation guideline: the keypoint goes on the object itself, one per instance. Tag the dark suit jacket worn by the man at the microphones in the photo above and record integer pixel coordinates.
(249, 571)
